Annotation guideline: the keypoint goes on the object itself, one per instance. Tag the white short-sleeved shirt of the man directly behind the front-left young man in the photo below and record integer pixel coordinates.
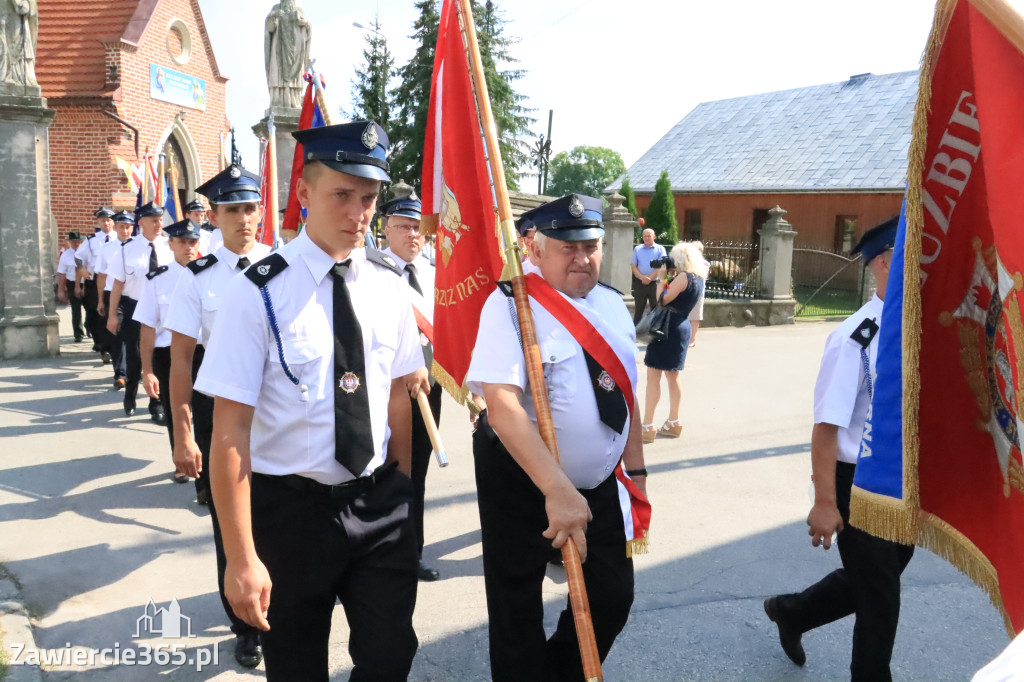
(200, 296)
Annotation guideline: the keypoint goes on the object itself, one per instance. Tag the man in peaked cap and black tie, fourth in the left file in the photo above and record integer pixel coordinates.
(141, 255)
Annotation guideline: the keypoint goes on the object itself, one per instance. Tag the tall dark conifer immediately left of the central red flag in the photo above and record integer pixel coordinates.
(412, 99)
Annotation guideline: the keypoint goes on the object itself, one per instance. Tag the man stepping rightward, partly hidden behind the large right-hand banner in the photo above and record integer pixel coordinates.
(868, 585)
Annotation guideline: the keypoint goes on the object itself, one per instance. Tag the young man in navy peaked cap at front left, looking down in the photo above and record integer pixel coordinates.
(313, 362)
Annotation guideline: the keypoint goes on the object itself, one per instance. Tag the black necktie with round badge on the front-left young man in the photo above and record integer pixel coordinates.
(354, 446)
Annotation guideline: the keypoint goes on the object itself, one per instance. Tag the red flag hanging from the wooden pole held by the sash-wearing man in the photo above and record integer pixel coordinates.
(458, 205)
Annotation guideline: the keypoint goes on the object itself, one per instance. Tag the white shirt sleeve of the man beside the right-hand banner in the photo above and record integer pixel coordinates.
(838, 382)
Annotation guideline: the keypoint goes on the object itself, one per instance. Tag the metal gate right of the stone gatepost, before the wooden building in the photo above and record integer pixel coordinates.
(827, 283)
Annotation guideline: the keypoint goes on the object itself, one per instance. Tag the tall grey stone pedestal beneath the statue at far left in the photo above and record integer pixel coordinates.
(28, 252)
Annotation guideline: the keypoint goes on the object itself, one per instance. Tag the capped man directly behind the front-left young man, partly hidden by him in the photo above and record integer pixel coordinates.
(235, 202)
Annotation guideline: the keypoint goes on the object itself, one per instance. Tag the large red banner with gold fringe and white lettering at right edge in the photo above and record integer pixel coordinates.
(963, 488)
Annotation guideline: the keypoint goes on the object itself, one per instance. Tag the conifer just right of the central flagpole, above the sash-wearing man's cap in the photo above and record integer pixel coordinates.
(511, 117)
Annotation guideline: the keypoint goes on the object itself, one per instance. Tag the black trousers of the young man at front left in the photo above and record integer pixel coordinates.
(320, 549)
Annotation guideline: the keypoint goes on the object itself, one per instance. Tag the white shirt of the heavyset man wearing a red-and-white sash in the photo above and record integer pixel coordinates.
(589, 449)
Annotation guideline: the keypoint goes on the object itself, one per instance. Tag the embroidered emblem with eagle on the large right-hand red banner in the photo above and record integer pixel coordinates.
(992, 336)
